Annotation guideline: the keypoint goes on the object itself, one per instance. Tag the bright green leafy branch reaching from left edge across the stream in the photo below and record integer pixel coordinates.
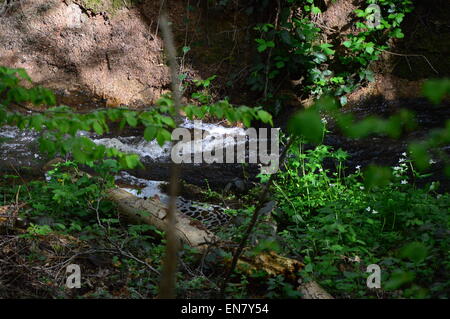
(61, 125)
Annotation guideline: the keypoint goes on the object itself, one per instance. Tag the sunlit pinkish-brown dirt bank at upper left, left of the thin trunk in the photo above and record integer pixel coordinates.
(64, 46)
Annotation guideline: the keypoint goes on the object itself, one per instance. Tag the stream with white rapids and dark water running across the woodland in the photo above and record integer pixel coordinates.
(19, 150)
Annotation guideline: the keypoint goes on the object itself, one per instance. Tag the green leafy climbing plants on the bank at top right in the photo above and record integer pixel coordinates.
(297, 47)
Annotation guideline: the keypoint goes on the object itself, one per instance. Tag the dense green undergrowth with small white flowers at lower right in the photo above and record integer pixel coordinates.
(338, 225)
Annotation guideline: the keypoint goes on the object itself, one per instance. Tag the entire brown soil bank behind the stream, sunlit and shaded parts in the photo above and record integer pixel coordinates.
(115, 54)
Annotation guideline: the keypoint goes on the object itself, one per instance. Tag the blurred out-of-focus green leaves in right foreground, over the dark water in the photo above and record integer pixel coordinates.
(310, 125)
